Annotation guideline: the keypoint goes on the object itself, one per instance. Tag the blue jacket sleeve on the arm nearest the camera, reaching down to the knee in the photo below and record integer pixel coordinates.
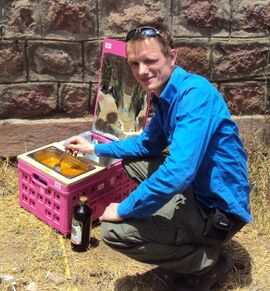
(190, 138)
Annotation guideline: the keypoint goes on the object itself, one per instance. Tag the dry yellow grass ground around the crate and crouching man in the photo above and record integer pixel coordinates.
(33, 253)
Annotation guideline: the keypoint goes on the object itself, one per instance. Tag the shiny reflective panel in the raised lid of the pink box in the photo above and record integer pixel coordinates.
(122, 103)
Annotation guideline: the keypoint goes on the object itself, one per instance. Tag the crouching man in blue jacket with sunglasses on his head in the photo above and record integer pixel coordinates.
(191, 201)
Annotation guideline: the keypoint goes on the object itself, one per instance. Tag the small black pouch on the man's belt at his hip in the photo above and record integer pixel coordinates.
(218, 225)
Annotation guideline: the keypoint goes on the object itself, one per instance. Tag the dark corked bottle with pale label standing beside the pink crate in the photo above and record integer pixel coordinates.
(81, 226)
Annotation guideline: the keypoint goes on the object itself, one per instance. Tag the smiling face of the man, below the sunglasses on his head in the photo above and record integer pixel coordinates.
(149, 65)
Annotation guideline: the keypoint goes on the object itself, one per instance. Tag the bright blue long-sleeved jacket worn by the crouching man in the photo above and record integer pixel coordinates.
(206, 152)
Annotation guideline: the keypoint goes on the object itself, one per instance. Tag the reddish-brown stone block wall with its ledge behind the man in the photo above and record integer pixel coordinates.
(50, 50)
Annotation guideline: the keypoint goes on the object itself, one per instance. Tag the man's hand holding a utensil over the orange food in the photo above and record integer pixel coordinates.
(78, 144)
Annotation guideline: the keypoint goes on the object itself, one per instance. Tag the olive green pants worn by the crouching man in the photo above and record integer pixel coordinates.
(172, 238)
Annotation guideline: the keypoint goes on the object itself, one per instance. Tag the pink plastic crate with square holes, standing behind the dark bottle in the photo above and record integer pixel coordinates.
(53, 202)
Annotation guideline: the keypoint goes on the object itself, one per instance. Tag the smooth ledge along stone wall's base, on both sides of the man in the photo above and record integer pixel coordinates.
(19, 136)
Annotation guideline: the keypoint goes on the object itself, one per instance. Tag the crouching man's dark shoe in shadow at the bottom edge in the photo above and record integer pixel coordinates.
(205, 281)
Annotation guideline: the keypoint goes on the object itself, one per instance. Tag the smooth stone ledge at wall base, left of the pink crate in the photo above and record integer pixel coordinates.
(19, 136)
